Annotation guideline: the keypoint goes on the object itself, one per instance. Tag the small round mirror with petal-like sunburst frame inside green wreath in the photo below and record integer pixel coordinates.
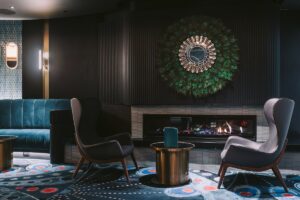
(197, 54)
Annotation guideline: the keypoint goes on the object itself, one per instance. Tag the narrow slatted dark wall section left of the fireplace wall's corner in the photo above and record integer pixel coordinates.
(112, 59)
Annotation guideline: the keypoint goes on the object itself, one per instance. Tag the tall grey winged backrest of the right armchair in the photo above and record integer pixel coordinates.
(278, 112)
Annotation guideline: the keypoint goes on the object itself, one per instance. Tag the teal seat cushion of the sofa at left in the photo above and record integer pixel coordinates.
(29, 138)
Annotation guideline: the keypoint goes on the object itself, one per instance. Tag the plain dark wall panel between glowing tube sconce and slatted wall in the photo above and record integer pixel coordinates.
(74, 57)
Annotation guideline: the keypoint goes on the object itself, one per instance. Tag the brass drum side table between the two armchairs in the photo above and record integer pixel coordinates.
(172, 164)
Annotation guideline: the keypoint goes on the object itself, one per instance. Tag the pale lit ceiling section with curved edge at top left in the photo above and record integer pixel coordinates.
(44, 9)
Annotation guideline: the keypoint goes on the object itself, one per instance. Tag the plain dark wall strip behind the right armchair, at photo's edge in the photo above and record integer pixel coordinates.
(290, 62)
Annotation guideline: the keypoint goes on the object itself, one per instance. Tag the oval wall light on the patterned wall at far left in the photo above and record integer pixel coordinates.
(11, 55)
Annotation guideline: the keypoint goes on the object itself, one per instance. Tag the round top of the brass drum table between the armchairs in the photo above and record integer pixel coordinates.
(182, 146)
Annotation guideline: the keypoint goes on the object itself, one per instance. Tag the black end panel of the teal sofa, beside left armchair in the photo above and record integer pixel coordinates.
(61, 130)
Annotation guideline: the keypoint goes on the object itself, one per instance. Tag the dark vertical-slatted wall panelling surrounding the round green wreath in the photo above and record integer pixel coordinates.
(128, 48)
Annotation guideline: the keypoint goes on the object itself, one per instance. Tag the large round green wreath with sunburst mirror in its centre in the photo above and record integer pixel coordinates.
(216, 59)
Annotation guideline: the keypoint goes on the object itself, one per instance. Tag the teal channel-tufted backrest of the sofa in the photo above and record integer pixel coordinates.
(29, 113)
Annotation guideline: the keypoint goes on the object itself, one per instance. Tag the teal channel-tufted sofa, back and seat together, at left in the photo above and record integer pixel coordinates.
(29, 120)
